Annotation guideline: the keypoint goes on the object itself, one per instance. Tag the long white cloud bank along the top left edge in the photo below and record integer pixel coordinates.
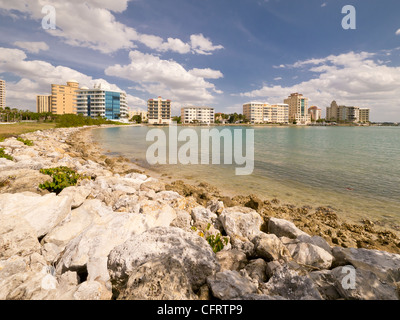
(92, 24)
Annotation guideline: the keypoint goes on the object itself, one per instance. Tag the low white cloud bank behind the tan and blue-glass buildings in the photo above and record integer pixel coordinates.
(37, 76)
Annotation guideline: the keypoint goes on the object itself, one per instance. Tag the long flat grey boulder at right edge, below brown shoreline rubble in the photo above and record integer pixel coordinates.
(384, 264)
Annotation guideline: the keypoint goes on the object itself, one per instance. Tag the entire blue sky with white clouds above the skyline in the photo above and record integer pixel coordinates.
(217, 53)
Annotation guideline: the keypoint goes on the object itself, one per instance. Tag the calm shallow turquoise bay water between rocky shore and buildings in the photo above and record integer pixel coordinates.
(354, 170)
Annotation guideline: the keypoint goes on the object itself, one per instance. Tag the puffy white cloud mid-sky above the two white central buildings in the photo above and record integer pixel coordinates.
(167, 78)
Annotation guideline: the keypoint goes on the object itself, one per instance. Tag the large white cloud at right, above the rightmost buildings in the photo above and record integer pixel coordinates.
(351, 78)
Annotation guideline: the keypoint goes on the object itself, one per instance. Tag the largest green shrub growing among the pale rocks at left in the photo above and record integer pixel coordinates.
(63, 177)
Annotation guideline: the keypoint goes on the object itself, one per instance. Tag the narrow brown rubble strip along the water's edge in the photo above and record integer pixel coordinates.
(348, 233)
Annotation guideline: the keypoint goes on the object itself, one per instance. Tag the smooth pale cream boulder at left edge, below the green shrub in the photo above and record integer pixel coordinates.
(43, 213)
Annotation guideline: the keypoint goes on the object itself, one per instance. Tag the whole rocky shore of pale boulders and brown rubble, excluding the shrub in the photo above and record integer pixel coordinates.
(126, 234)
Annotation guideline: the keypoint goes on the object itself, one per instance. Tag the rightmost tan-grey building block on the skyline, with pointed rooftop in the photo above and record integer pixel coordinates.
(347, 114)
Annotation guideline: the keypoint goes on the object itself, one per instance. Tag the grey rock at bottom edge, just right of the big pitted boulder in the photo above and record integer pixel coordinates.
(227, 285)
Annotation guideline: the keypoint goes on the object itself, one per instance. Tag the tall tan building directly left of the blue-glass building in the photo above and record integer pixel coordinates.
(63, 97)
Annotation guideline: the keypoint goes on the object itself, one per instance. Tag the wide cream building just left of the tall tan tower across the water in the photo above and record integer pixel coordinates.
(263, 112)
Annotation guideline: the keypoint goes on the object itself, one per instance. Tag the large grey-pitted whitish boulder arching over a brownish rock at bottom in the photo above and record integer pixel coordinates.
(192, 251)
